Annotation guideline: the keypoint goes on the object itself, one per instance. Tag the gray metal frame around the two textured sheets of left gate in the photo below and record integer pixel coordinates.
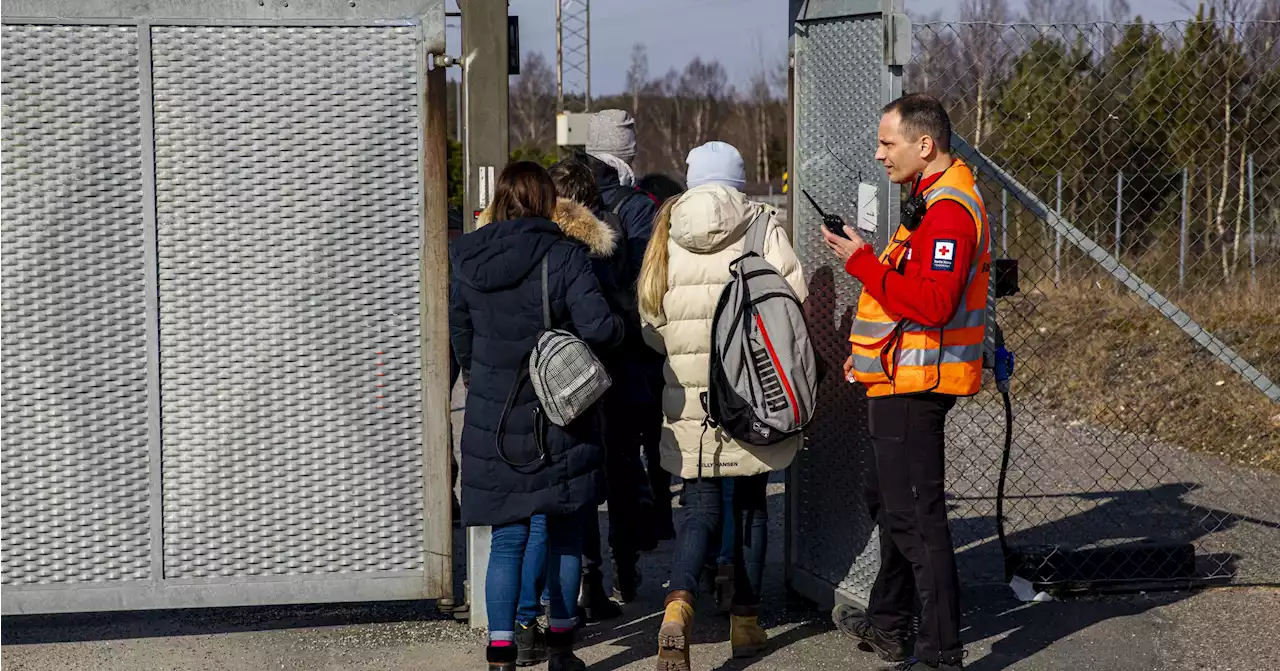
(436, 579)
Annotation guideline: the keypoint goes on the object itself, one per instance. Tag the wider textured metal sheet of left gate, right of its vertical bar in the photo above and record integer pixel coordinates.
(289, 217)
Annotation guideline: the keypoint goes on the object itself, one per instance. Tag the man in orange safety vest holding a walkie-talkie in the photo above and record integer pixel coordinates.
(917, 345)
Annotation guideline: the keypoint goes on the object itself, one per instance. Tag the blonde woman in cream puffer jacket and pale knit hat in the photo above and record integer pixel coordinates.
(696, 239)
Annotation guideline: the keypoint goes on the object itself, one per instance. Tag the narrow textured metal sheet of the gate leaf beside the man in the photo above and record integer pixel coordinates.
(840, 75)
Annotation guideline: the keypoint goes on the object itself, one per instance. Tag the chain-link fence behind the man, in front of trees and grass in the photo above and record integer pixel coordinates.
(1137, 454)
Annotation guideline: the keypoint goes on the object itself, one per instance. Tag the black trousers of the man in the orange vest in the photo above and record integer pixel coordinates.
(906, 497)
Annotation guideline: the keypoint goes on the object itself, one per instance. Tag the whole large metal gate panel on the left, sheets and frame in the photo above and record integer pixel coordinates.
(212, 226)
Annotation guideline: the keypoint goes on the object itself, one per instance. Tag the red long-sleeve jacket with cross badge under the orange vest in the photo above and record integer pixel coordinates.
(930, 287)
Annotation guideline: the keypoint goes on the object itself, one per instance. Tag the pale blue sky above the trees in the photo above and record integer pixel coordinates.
(737, 33)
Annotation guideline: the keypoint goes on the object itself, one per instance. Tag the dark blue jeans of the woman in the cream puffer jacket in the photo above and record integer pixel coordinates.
(703, 530)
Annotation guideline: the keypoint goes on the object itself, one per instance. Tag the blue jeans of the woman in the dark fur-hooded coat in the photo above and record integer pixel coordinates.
(519, 555)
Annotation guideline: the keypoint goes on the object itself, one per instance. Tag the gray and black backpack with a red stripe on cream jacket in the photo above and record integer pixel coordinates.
(764, 376)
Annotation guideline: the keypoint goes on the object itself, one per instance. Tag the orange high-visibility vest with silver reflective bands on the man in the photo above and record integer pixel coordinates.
(894, 355)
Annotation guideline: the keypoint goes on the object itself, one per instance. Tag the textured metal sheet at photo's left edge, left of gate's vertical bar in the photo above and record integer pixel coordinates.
(74, 395)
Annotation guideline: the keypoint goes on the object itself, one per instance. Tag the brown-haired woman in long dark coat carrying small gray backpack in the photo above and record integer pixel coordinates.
(496, 317)
